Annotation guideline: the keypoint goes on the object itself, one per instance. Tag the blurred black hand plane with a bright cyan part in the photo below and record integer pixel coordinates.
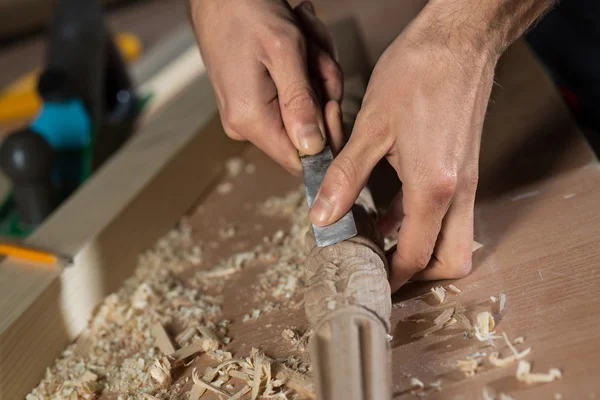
(88, 110)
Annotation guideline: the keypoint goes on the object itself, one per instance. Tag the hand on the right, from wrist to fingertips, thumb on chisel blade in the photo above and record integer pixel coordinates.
(423, 110)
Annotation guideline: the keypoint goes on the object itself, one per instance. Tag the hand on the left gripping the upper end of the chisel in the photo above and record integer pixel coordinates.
(269, 66)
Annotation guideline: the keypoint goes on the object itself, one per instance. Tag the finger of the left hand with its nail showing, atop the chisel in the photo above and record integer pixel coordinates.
(299, 106)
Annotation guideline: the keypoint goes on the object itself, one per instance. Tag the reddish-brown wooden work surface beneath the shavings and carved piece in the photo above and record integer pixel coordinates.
(538, 219)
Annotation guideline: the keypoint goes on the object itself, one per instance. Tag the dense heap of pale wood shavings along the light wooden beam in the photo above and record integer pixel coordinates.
(117, 349)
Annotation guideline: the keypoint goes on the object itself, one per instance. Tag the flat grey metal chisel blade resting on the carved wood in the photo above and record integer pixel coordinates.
(314, 168)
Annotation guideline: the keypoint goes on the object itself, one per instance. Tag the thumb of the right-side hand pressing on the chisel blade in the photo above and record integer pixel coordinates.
(349, 172)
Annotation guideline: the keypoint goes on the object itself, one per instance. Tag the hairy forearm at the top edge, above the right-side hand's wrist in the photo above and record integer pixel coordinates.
(483, 25)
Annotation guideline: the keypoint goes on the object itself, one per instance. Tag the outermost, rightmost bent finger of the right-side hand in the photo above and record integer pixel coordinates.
(453, 252)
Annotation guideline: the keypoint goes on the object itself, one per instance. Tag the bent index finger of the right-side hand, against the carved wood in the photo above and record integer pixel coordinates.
(424, 210)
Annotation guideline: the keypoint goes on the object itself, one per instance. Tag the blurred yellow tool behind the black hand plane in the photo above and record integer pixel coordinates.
(20, 100)
